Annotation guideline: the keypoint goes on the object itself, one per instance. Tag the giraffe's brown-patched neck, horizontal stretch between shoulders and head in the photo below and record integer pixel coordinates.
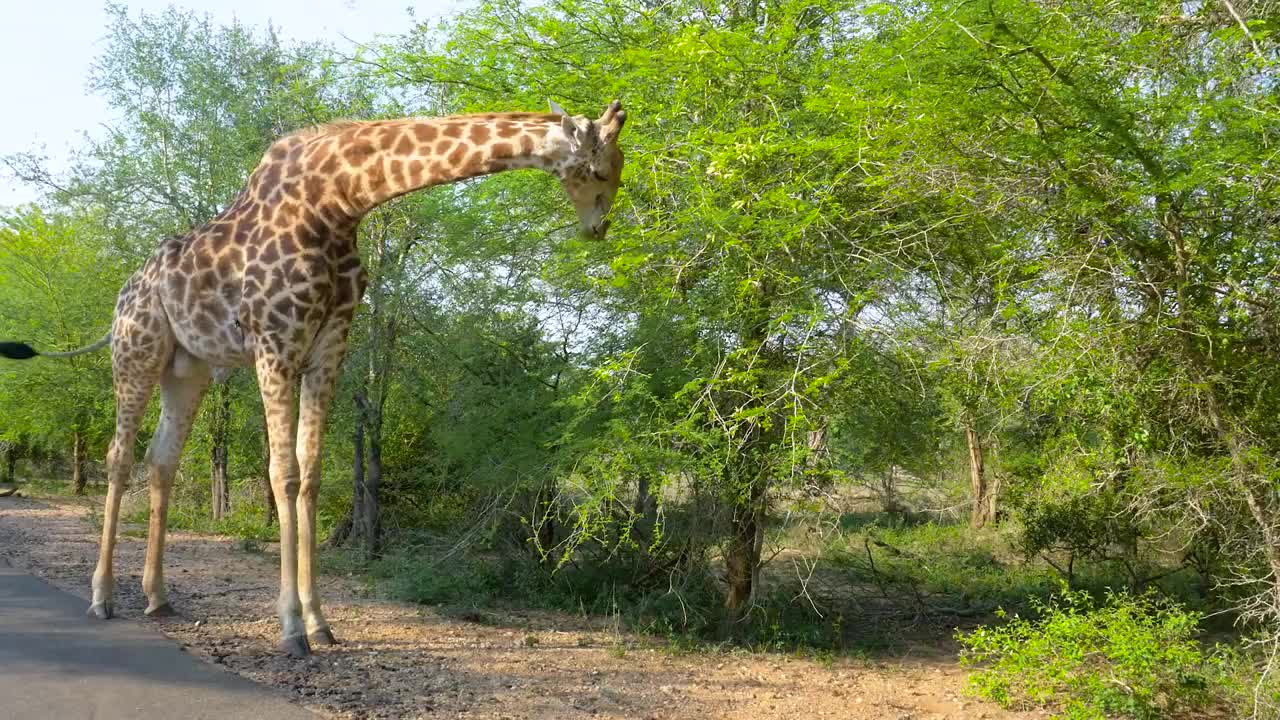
(387, 160)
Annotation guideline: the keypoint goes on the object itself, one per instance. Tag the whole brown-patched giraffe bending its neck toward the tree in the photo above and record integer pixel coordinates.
(273, 282)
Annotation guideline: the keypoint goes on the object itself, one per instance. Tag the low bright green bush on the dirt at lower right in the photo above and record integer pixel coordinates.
(1135, 657)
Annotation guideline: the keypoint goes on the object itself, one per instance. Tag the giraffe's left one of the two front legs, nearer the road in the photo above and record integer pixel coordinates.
(275, 380)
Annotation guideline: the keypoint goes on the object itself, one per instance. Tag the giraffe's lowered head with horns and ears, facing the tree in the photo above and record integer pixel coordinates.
(593, 168)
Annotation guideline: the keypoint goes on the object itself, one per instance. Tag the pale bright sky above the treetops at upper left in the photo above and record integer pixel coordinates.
(47, 48)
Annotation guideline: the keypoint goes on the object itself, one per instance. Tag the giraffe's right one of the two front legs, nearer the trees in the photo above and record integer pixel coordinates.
(314, 408)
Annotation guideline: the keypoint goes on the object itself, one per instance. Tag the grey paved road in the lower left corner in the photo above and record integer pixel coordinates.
(58, 664)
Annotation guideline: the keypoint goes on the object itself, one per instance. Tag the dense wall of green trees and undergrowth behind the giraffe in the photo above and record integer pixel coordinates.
(1005, 263)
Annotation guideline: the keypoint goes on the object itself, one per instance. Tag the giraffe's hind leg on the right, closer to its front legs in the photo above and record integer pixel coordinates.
(180, 402)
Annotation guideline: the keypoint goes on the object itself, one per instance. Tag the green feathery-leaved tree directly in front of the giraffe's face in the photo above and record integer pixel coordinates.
(743, 224)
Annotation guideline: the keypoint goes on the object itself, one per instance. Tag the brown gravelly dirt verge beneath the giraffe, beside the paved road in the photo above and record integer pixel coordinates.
(399, 660)
